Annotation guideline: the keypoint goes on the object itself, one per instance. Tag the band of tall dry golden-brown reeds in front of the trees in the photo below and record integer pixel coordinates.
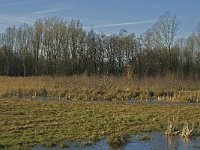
(168, 88)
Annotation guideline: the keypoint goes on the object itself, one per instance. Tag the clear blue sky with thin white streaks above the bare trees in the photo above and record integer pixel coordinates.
(107, 16)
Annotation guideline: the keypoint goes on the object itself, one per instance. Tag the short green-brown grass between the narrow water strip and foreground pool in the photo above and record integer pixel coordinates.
(26, 123)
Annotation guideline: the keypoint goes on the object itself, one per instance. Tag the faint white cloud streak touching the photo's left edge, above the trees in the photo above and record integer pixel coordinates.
(18, 19)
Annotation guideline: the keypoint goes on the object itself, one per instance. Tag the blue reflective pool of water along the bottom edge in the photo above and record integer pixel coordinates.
(158, 142)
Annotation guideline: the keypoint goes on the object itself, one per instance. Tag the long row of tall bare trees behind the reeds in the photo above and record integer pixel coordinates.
(53, 46)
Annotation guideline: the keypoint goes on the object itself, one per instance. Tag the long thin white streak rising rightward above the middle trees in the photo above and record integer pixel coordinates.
(122, 24)
